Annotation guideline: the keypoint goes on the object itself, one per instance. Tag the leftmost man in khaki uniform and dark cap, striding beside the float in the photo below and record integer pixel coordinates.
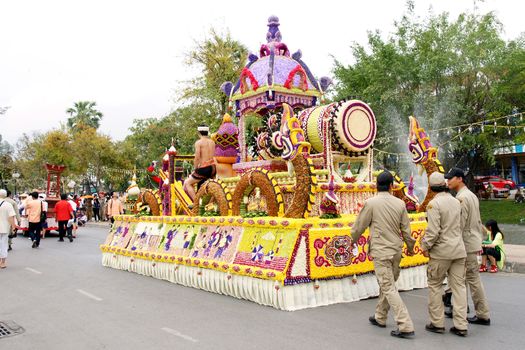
(389, 225)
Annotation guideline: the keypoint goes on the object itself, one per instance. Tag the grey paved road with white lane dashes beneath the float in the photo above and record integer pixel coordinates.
(65, 299)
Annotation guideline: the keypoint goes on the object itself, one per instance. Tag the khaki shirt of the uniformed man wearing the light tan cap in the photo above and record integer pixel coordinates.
(442, 237)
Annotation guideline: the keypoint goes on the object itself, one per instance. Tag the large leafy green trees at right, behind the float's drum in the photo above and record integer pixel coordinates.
(446, 72)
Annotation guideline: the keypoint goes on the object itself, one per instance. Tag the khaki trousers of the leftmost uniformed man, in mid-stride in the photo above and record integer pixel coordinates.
(387, 273)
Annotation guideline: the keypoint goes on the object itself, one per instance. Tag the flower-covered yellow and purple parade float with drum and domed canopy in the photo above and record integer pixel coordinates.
(275, 227)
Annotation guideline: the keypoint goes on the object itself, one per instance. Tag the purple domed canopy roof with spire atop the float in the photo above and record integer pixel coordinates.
(274, 77)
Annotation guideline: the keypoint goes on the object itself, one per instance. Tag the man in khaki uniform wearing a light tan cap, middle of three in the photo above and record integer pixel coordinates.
(444, 244)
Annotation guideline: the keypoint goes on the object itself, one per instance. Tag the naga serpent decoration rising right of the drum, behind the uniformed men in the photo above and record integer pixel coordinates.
(424, 155)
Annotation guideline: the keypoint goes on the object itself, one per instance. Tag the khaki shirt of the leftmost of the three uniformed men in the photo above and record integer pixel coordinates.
(389, 225)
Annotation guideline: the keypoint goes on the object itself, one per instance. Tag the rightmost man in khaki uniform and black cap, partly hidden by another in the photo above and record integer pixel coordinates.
(473, 234)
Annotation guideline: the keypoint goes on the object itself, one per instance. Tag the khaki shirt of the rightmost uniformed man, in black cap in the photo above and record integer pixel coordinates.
(471, 226)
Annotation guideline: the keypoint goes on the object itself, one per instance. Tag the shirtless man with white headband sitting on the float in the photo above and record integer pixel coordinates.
(204, 162)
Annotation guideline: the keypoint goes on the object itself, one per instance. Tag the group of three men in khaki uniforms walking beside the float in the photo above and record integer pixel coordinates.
(452, 241)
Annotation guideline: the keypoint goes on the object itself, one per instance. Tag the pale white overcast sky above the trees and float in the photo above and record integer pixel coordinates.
(128, 55)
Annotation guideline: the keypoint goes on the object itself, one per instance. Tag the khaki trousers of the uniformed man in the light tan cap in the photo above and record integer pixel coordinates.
(437, 270)
